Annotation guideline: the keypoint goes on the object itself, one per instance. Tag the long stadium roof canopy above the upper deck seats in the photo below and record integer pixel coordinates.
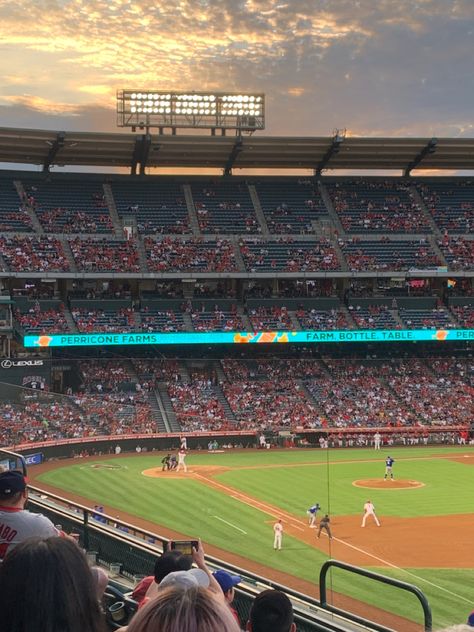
(137, 151)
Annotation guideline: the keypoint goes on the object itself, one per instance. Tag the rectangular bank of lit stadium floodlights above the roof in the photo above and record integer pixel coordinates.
(222, 111)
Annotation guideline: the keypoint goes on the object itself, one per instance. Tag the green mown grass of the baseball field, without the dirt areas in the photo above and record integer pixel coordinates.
(195, 509)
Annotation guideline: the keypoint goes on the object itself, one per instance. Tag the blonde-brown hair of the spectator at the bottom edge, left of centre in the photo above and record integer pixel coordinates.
(178, 610)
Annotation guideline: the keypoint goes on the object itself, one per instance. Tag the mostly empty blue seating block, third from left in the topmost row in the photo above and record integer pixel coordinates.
(159, 206)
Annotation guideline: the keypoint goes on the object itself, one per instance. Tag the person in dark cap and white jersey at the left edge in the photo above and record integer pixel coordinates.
(16, 523)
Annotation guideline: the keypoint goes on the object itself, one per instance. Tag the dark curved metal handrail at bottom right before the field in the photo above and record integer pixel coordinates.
(428, 620)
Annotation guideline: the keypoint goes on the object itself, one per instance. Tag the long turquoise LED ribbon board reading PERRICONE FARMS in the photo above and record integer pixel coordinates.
(259, 337)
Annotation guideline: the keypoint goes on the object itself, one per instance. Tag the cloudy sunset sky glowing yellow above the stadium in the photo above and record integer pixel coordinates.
(375, 67)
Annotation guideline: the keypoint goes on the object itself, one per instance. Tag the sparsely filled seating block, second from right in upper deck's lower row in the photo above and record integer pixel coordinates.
(388, 254)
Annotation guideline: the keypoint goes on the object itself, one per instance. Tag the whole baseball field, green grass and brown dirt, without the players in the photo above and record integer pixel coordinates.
(231, 500)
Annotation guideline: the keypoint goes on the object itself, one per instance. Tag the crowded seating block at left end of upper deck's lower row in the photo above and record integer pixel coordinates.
(33, 254)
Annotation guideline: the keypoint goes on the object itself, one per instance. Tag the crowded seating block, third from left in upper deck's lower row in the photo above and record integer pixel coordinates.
(172, 255)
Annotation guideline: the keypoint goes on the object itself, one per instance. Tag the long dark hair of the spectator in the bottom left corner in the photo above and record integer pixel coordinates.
(47, 586)
